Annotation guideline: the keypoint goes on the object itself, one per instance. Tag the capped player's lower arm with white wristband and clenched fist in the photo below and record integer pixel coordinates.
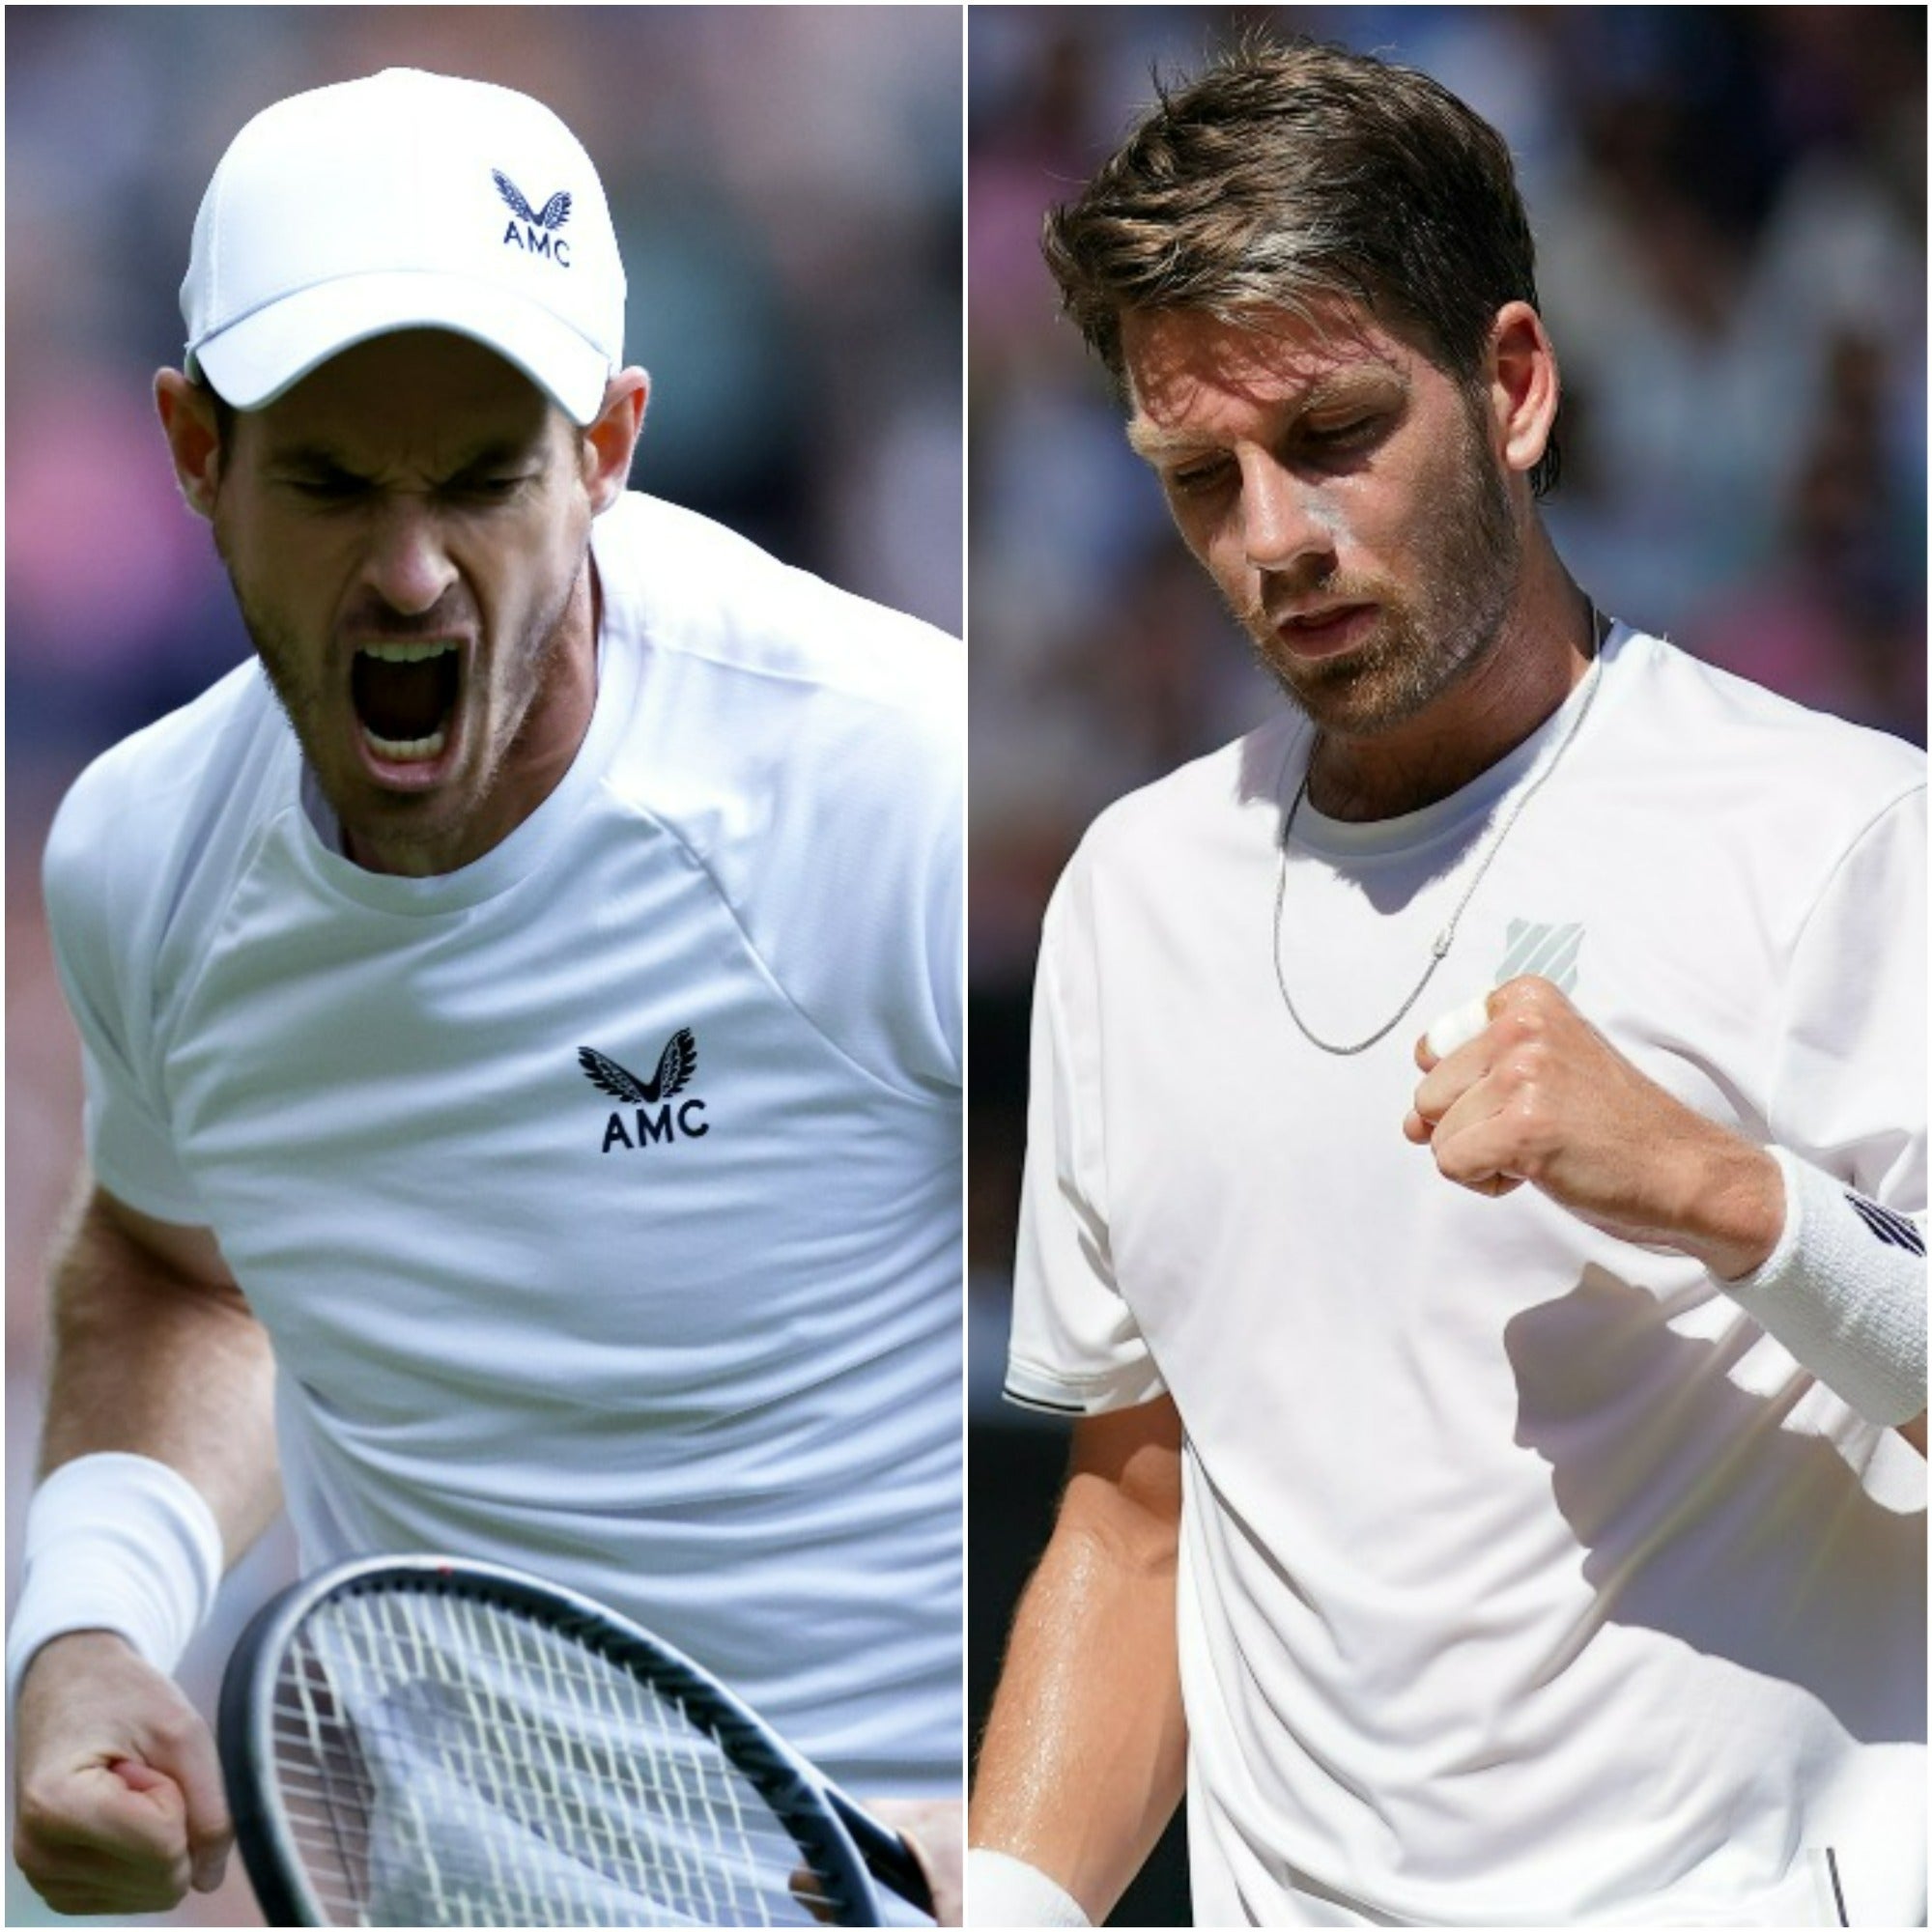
(157, 1463)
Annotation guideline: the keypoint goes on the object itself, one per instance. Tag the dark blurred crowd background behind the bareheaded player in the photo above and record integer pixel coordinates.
(1730, 219)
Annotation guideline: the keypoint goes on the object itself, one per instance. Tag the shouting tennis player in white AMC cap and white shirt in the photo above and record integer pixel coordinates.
(521, 1019)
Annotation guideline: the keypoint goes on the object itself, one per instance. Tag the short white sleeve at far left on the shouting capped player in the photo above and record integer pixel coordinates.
(103, 955)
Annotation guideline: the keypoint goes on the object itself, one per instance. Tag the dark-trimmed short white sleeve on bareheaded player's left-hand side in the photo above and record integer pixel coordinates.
(1075, 1344)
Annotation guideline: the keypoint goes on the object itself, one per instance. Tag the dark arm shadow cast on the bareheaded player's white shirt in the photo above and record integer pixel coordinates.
(1709, 1514)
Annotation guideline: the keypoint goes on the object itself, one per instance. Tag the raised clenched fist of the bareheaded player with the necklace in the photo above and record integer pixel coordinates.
(1543, 1096)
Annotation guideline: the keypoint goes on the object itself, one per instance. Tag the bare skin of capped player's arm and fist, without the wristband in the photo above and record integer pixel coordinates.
(156, 1353)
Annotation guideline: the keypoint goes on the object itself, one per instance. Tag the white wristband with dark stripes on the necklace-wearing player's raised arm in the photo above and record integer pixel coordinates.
(1846, 1293)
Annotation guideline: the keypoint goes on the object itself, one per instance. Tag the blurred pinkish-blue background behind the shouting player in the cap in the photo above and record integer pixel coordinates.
(787, 192)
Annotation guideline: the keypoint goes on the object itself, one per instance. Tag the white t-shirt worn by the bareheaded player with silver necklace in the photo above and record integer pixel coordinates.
(1523, 1579)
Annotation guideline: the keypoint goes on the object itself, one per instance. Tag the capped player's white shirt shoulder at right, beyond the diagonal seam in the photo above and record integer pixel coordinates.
(809, 751)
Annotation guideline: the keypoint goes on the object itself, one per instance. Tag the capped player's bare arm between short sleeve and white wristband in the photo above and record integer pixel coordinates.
(156, 1359)
